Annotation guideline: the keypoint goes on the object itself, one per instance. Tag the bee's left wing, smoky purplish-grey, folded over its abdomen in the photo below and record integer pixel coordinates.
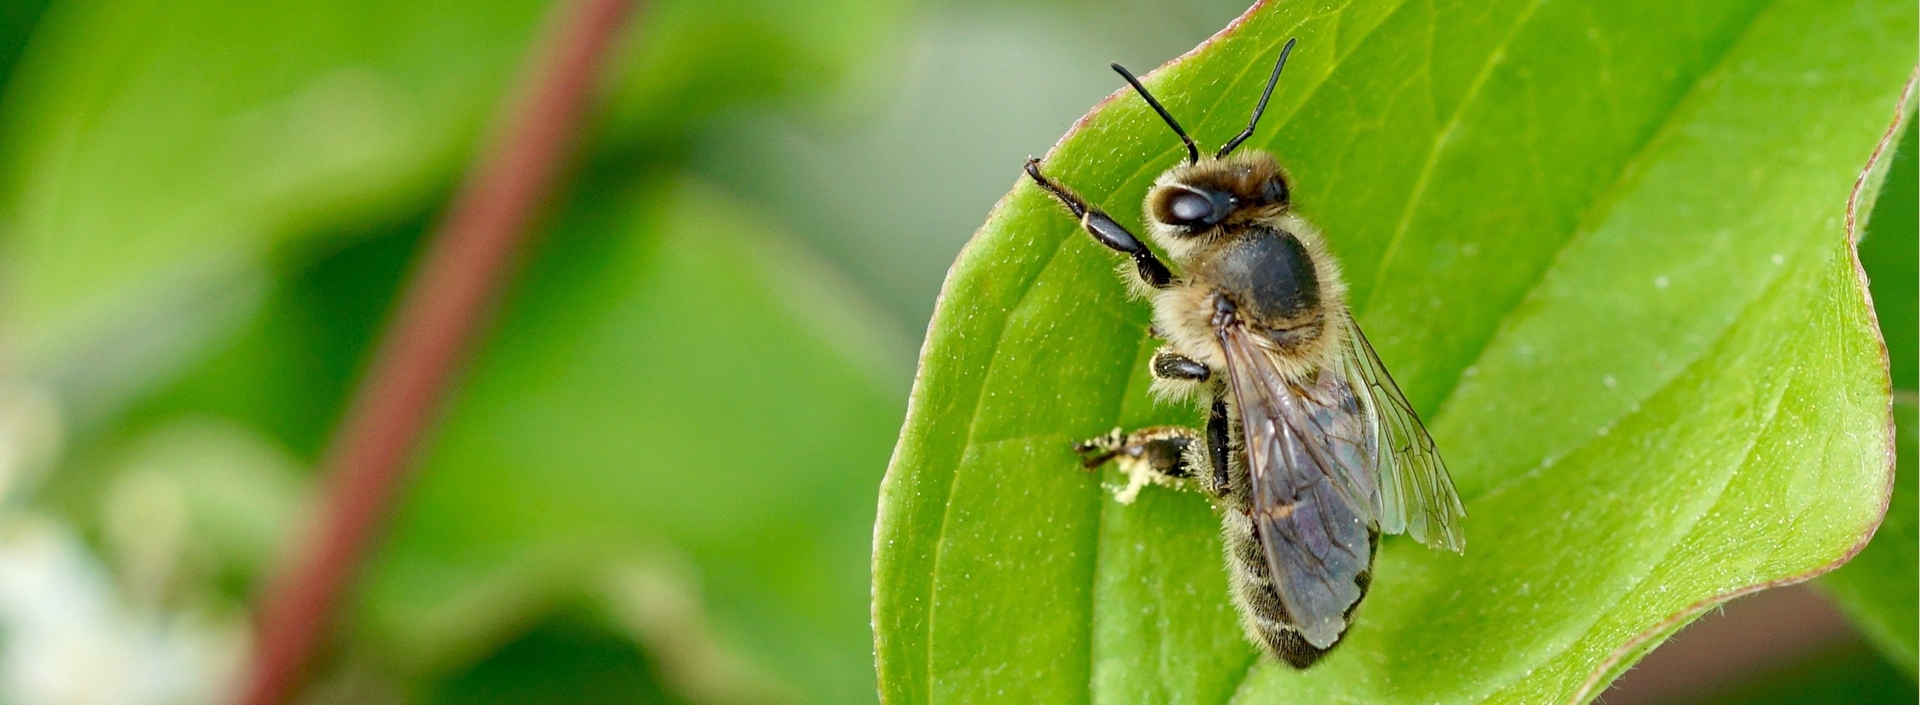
(1312, 479)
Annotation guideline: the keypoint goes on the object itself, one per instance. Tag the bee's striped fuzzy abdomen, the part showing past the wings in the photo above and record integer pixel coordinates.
(1262, 614)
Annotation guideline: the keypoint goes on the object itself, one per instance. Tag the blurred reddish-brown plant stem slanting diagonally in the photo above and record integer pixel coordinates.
(448, 301)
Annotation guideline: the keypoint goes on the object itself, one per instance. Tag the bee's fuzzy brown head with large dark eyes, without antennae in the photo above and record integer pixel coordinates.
(1199, 199)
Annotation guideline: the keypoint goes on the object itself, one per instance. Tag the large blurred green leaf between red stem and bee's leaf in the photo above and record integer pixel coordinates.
(671, 383)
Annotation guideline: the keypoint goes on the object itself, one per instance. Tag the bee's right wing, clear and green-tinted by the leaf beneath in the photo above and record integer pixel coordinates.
(1416, 493)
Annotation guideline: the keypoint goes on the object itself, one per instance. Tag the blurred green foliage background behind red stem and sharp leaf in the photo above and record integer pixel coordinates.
(658, 479)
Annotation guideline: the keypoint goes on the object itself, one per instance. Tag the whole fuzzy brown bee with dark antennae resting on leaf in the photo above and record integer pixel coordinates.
(1310, 452)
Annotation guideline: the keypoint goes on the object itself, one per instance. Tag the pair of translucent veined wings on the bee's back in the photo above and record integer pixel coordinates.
(1332, 460)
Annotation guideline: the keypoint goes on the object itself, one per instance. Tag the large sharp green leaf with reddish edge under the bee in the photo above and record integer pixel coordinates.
(1602, 251)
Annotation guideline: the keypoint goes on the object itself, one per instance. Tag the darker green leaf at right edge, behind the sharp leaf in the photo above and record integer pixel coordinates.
(1881, 589)
